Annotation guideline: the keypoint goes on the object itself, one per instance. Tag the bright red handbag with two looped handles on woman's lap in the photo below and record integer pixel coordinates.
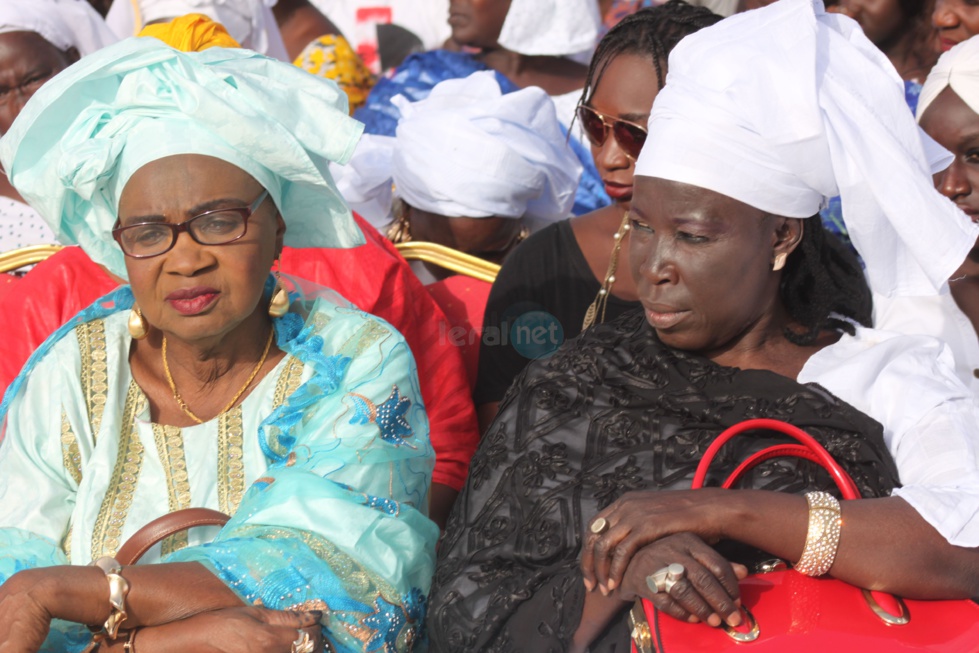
(786, 611)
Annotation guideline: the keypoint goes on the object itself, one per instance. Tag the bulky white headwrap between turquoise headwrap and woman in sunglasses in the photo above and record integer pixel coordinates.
(467, 150)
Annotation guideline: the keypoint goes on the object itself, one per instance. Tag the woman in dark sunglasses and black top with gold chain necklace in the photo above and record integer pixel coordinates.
(577, 270)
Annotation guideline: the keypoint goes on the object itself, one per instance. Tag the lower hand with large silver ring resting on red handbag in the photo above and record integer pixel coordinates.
(707, 591)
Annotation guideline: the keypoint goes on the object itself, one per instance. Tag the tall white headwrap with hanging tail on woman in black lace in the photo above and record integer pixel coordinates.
(784, 106)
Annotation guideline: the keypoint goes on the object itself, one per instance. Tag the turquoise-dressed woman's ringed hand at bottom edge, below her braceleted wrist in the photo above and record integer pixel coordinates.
(233, 630)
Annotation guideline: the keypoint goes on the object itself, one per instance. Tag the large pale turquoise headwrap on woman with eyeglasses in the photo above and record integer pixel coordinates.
(83, 135)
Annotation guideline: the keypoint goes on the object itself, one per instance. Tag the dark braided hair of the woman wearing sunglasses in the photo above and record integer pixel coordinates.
(651, 32)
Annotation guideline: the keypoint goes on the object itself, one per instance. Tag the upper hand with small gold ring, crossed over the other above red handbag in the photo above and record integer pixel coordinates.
(641, 518)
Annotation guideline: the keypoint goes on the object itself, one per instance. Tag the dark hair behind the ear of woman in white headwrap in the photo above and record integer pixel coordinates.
(823, 286)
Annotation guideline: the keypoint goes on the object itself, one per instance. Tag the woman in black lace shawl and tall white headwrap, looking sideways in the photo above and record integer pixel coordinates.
(578, 493)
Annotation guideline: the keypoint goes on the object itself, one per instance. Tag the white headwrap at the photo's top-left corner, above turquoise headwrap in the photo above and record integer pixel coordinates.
(63, 23)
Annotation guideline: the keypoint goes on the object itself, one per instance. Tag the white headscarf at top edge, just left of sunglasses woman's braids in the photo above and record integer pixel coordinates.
(555, 28)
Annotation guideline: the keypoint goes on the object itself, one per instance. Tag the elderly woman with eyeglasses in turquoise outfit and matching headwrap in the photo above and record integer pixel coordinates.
(208, 381)
